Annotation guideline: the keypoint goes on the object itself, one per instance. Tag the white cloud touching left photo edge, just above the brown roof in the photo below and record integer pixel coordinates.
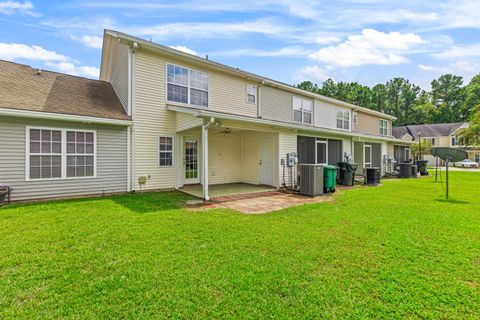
(15, 51)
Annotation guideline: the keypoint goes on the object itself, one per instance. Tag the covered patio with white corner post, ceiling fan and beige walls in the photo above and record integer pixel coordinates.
(221, 158)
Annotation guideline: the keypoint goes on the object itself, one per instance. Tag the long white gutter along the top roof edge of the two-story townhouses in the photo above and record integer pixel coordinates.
(250, 76)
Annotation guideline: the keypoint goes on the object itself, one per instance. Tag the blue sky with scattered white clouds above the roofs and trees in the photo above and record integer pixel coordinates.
(367, 41)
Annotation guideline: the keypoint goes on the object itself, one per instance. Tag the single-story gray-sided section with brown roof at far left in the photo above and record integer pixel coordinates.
(60, 135)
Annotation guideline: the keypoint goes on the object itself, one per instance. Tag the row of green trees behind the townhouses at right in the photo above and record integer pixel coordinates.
(449, 100)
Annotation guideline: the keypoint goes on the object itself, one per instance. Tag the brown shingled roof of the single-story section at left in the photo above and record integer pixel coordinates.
(24, 88)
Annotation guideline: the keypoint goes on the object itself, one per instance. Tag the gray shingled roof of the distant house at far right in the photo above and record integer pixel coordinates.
(426, 130)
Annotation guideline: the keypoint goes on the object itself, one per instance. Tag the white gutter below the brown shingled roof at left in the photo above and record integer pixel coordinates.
(61, 117)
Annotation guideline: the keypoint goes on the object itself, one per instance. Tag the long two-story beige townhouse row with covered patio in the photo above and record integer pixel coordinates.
(196, 121)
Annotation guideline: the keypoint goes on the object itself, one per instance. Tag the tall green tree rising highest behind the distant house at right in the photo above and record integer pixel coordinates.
(447, 96)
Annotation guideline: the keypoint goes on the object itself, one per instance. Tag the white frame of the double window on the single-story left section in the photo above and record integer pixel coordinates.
(63, 153)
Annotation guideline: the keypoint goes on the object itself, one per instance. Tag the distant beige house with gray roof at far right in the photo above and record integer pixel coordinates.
(438, 135)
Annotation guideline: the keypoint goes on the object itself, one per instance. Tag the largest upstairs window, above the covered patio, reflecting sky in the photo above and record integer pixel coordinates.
(187, 86)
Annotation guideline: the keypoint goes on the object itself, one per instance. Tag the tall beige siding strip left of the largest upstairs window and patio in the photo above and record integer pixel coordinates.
(151, 121)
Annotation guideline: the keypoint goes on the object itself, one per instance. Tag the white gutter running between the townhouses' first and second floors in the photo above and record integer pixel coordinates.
(207, 114)
